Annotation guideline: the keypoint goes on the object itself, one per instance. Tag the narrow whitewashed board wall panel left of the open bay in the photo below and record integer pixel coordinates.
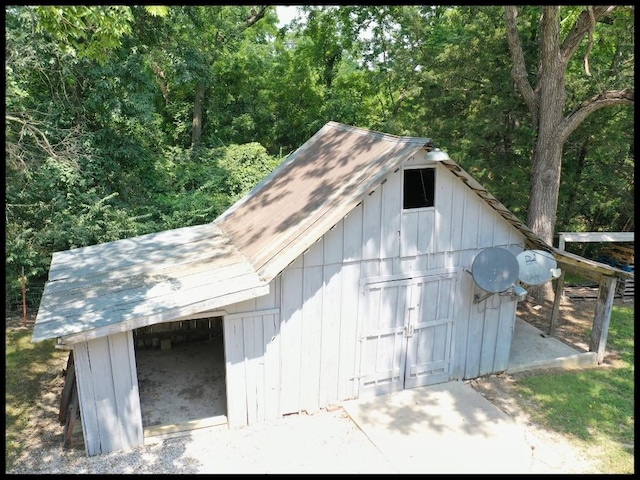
(108, 393)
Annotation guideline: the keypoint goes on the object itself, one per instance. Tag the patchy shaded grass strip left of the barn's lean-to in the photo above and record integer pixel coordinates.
(28, 367)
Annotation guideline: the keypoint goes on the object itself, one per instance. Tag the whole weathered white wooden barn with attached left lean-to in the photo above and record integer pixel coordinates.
(344, 274)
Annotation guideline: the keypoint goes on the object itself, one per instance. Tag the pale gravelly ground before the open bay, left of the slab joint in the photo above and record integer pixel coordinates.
(326, 442)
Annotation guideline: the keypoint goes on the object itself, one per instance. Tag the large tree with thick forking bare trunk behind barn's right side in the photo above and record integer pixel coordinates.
(545, 95)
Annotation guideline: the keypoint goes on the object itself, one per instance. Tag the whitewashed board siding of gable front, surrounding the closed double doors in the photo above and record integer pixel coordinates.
(307, 356)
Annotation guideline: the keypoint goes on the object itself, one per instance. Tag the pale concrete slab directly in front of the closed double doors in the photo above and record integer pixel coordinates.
(444, 428)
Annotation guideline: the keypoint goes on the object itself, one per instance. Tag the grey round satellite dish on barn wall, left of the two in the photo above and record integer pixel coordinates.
(494, 269)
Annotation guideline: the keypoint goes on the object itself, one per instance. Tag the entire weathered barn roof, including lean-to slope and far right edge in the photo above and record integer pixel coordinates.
(117, 286)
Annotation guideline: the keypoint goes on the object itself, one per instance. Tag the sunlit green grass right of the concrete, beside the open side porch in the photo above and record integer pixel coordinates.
(593, 406)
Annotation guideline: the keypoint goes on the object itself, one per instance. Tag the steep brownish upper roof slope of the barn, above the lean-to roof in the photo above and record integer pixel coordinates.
(311, 191)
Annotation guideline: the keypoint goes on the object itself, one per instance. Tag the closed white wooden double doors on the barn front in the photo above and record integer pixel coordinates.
(407, 333)
